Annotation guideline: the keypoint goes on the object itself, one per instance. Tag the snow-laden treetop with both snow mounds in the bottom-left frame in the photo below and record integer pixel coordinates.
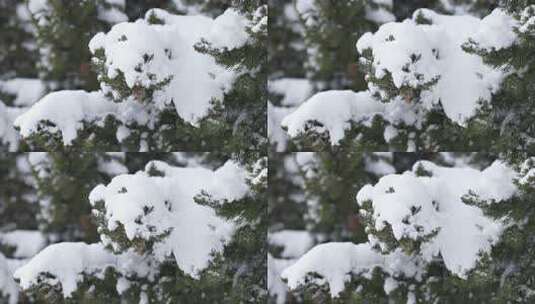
(144, 220)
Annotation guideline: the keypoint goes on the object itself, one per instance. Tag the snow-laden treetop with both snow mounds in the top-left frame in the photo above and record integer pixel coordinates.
(144, 68)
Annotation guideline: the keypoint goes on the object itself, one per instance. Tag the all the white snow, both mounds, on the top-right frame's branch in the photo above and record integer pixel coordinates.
(414, 55)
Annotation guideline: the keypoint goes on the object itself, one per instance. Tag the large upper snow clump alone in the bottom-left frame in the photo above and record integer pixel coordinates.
(149, 206)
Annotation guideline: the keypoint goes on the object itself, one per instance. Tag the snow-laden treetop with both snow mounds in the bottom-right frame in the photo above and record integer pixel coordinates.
(414, 219)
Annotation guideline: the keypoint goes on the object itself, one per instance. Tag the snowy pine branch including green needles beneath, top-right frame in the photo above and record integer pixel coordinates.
(423, 84)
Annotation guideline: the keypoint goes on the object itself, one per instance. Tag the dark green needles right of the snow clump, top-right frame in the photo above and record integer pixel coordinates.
(507, 120)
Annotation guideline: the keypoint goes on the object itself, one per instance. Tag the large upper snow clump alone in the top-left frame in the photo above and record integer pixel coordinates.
(148, 54)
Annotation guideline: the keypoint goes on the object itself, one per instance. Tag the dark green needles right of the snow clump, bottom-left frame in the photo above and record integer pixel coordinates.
(242, 267)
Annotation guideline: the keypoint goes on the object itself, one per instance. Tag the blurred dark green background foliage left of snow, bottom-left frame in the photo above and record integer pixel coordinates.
(64, 181)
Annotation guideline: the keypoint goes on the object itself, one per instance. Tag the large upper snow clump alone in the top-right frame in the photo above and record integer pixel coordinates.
(416, 54)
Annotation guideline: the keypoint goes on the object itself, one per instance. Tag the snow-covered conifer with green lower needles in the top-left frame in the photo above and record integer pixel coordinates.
(164, 96)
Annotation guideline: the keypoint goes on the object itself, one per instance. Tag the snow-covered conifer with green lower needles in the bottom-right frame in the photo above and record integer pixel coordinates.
(418, 260)
